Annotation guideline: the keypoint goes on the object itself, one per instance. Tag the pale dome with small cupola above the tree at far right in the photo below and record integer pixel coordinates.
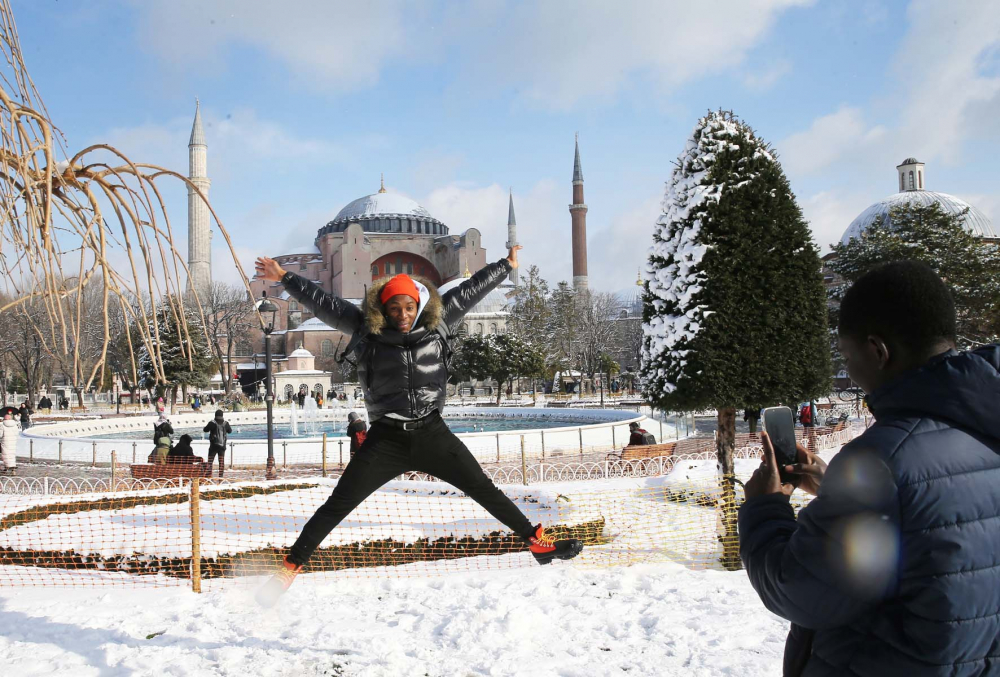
(910, 175)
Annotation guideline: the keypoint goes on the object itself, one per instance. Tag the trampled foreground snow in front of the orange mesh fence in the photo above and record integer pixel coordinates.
(650, 619)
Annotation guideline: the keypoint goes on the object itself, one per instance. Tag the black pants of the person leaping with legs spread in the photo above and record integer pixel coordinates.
(389, 452)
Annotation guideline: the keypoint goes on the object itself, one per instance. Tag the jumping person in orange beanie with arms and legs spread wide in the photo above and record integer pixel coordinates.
(400, 345)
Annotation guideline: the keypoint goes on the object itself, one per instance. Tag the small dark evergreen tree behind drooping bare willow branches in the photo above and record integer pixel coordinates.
(184, 353)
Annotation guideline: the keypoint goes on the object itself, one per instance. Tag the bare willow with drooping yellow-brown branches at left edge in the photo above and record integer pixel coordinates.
(69, 220)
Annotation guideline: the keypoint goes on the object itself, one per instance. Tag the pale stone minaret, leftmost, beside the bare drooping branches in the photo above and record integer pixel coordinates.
(199, 231)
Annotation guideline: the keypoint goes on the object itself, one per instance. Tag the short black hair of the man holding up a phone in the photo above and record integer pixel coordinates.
(904, 302)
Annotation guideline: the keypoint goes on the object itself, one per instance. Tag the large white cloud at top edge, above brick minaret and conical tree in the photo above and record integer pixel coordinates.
(556, 55)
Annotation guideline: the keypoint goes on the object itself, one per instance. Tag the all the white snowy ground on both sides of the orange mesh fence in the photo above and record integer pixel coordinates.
(473, 616)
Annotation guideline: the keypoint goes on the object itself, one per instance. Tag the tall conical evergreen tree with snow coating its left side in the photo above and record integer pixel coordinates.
(735, 312)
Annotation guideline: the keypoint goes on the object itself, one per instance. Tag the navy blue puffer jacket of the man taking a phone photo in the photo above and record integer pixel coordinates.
(896, 564)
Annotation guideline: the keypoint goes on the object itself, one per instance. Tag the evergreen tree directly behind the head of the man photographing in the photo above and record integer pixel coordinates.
(969, 265)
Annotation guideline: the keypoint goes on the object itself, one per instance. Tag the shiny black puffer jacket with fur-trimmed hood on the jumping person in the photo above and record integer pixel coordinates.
(404, 374)
